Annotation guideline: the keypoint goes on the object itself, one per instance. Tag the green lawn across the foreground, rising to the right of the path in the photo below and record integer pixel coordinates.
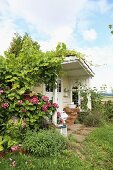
(95, 153)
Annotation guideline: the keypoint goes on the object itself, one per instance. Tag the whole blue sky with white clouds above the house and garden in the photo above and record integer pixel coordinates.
(82, 25)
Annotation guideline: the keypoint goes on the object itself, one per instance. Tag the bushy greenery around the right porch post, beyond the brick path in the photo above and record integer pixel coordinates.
(100, 112)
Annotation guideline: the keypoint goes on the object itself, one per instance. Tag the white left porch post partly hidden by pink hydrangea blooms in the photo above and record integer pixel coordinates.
(54, 117)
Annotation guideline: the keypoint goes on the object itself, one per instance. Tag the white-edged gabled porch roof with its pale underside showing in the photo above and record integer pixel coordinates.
(76, 67)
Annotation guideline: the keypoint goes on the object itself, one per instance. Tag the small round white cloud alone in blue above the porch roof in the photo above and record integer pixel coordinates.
(90, 35)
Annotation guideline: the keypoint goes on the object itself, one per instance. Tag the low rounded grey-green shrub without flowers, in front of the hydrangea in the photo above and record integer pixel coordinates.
(44, 142)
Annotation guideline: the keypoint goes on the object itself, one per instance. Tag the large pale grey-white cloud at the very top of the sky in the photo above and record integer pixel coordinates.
(47, 15)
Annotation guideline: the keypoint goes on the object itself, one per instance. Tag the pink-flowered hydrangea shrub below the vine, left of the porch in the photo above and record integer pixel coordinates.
(19, 112)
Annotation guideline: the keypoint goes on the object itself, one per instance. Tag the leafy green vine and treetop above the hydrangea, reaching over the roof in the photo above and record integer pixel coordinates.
(25, 65)
